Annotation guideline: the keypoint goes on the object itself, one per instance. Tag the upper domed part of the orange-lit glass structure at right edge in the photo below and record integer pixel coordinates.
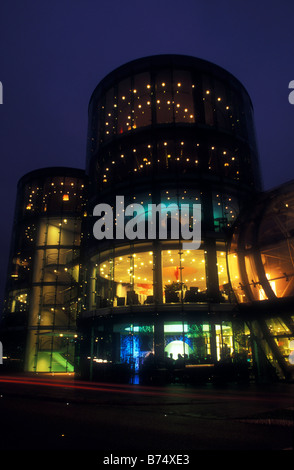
(262, 249)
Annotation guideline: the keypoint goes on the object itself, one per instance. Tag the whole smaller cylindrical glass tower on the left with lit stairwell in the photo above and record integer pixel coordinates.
(42, 289)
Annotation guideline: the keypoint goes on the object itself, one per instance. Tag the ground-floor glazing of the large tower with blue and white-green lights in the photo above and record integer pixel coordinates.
(193, 343)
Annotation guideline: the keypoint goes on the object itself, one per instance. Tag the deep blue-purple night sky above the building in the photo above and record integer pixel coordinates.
(53, 53)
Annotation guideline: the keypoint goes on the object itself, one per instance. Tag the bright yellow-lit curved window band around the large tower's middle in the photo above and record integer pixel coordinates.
(126, 276)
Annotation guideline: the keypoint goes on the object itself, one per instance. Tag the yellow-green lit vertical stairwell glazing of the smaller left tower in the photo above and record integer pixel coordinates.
(55, 272)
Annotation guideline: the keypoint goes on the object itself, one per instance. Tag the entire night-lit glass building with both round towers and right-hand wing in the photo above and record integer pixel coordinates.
(164, 132)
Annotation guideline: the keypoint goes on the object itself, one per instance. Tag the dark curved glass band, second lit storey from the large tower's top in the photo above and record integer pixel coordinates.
(118, 162)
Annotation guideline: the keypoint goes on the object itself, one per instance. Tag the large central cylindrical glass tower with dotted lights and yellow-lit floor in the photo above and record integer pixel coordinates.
(162, 130)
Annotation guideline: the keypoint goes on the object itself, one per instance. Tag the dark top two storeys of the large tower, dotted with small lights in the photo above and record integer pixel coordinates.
(179, 118)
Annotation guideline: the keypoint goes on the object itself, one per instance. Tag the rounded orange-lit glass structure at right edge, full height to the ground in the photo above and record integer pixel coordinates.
(261, 269)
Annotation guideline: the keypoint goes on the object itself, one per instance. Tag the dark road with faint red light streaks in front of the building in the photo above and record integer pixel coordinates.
(61, 413)
